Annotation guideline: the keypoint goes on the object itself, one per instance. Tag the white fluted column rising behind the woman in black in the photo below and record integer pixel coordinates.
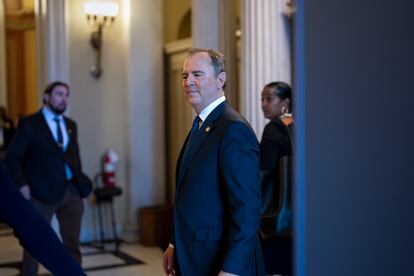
(265, 54)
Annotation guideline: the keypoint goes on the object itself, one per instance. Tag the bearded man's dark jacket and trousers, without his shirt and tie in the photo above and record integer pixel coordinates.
(34, 158)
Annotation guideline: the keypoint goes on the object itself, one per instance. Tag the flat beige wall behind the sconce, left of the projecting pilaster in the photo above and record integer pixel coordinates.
(98, 106)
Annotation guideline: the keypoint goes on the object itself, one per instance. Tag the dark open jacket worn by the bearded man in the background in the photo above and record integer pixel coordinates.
(34, 158)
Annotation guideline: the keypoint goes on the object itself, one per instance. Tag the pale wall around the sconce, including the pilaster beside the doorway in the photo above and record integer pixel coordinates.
(123, 109)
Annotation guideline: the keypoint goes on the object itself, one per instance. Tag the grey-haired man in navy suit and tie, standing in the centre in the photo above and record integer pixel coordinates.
(217, 198)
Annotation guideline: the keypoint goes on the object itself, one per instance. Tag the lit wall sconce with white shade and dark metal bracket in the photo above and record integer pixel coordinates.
(99, 14)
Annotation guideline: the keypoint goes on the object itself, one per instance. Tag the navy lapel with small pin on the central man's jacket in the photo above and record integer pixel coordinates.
(185, 160)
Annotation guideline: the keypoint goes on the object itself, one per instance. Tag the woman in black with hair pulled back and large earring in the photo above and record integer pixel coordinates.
(275, 171)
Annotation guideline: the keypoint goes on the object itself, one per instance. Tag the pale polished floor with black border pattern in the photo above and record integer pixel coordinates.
(132, 259)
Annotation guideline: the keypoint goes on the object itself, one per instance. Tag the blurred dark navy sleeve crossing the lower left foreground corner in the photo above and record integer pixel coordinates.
(33, 231)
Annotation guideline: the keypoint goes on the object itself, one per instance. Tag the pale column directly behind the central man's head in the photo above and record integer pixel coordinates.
(214, 26)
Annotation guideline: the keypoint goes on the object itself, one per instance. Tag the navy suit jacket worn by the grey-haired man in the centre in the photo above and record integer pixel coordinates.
(217, 200)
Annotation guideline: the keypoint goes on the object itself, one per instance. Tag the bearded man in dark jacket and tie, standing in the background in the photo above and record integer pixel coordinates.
(43, 160)
